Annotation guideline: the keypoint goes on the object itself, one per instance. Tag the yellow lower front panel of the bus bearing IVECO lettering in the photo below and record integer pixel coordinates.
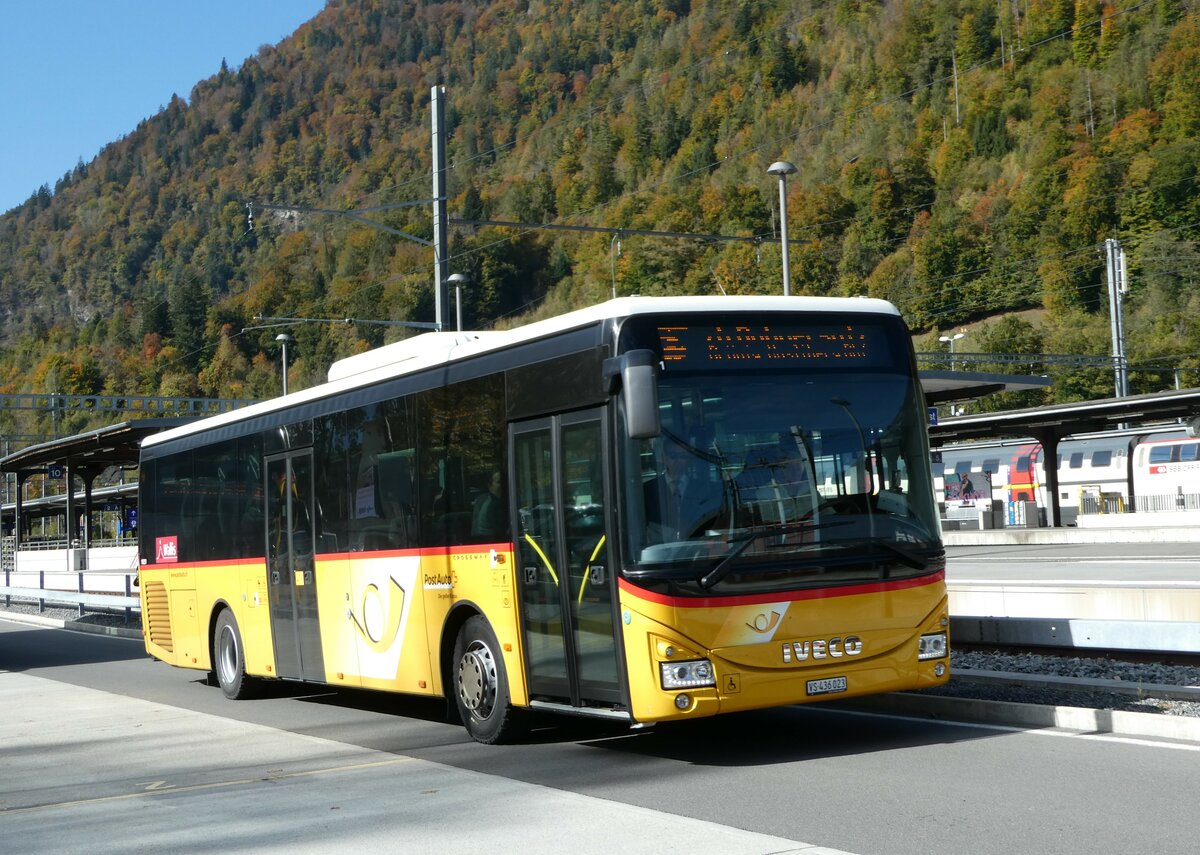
(869, 638)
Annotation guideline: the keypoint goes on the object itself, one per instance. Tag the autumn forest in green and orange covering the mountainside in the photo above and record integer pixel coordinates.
(964, 159)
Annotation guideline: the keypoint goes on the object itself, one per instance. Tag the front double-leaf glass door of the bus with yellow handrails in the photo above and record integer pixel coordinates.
(567, 584)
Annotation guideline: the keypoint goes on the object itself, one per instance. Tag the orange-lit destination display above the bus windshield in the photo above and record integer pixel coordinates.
(740, 345)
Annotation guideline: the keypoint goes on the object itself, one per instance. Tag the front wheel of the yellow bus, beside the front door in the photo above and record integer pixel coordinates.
(481, 684)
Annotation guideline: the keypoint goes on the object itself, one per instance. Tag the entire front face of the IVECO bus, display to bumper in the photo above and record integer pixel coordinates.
(781, 541)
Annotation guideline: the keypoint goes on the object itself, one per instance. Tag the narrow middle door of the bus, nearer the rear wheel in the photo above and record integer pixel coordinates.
(291, 569)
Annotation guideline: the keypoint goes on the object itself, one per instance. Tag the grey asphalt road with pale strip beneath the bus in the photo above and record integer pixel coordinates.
(107, 751)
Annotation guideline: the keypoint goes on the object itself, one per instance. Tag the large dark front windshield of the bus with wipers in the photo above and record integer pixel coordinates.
(779, 480)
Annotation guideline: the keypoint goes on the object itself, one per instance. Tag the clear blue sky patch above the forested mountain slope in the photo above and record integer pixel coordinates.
(77, 75)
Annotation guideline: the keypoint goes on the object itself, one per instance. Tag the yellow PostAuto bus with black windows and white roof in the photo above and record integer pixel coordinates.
(652, 510)
